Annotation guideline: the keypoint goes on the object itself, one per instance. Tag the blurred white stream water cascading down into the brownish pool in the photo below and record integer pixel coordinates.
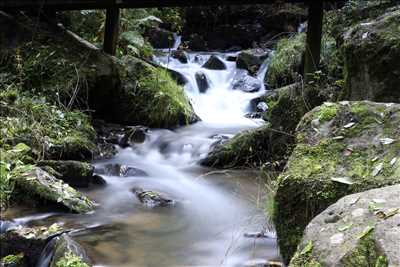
(216, 208)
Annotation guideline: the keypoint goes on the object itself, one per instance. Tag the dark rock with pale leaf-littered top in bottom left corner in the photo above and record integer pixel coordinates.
(29, 241)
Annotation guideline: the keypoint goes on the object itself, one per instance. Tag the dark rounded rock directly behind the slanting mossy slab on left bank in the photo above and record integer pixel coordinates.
(74, 173)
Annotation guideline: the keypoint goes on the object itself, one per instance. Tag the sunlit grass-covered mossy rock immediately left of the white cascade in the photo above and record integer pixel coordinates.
(151, 97)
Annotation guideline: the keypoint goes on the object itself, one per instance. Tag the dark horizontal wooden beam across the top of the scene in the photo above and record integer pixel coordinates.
(7, 5)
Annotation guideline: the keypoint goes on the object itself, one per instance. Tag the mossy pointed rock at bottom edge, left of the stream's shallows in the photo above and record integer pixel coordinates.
(65, 247)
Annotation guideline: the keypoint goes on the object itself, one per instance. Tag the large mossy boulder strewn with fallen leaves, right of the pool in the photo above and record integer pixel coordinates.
(341, 149)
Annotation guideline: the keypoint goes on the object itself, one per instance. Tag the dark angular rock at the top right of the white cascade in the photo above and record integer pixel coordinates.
(251, 60)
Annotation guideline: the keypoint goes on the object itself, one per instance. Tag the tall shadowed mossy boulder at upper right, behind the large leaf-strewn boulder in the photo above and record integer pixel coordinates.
(372, 59)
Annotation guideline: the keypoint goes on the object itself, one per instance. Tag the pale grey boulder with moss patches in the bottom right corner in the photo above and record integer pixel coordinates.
(358, 230)
